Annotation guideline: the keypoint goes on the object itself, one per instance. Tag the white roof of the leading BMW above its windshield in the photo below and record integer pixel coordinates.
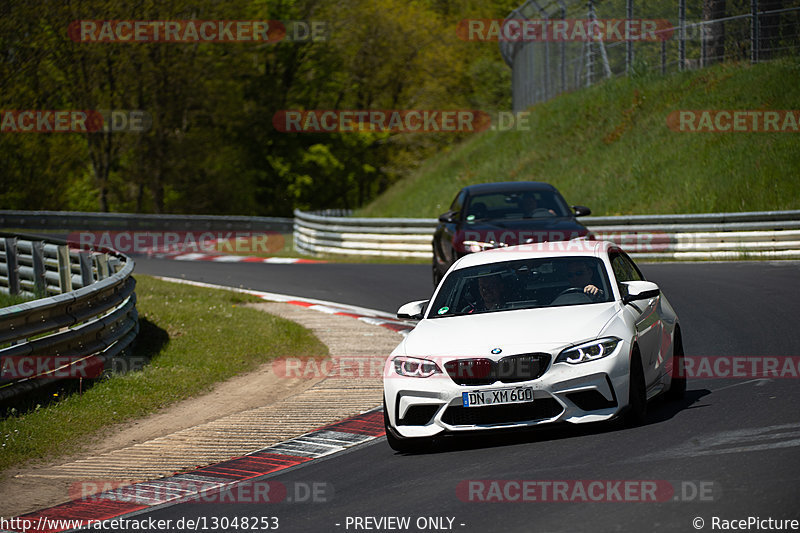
(579, 247)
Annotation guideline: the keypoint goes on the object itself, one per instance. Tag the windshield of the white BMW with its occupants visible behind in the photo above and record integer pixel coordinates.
(522, 284)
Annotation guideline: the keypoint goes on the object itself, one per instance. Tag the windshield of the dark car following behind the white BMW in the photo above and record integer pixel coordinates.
(526, 204)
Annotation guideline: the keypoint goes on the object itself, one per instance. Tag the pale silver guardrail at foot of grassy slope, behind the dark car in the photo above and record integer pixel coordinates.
(771, 234)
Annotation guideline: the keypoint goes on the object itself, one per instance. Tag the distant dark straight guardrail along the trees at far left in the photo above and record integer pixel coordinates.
(69, 220)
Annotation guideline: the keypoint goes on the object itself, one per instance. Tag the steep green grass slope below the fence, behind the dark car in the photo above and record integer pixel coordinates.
(609, 147)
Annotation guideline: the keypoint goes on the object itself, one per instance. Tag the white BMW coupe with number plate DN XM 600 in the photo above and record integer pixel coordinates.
(529, 335)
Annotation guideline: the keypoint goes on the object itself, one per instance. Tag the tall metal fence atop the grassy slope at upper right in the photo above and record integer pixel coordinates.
(695, 35)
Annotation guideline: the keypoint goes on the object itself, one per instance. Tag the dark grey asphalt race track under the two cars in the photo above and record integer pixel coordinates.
(730, 450)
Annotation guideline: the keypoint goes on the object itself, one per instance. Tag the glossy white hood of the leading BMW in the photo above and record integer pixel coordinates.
(543, 329)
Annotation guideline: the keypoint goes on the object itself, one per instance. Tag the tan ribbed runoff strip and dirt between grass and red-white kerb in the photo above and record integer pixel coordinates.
(238, 416)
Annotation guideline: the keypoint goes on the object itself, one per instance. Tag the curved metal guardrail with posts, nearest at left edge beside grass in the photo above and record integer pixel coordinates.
(89, 321)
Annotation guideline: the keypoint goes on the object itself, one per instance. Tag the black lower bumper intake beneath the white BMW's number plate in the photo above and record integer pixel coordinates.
(540, 409)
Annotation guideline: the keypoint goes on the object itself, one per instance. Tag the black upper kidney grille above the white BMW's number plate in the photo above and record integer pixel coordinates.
(509, 369)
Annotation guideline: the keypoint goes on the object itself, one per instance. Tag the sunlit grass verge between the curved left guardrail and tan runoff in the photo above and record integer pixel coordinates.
(194, 338)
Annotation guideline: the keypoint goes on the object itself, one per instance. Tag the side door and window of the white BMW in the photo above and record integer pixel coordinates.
(649, 324)
